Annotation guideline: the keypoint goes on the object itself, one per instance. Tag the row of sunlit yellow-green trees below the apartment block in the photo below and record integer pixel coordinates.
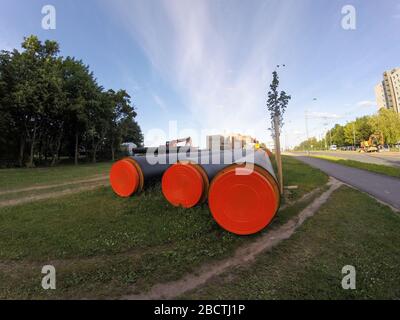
(385, 122)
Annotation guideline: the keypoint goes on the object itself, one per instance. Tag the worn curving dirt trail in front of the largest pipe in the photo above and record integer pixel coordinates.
(242, 256)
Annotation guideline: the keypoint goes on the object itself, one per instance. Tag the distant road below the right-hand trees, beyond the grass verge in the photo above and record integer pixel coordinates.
(385, 158)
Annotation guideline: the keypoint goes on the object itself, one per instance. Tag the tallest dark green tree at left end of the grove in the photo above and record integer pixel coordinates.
(30, 81)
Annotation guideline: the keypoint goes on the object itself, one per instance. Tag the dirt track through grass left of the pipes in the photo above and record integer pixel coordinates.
(91, 186)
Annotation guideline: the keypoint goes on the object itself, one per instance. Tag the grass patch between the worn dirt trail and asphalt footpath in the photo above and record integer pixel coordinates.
(351, 229)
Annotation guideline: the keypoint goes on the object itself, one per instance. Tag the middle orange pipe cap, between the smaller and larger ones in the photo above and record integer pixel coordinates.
(185, 185)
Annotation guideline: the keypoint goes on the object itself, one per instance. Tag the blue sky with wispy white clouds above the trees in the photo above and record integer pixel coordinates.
(195, 67)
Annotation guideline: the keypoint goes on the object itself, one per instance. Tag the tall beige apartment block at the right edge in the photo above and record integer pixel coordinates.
(388, 91)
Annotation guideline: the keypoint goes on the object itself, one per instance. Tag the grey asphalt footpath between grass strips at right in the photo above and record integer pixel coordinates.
(384, 188)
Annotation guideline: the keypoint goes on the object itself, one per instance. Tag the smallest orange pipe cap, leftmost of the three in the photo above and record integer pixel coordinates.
(124, 178)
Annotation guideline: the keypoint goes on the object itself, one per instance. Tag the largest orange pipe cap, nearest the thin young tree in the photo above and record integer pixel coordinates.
(244, 204)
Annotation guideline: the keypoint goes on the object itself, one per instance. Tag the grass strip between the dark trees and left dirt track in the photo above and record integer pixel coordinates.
(22, 178)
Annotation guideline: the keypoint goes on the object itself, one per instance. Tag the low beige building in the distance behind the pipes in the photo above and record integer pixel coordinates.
(230, 142)
